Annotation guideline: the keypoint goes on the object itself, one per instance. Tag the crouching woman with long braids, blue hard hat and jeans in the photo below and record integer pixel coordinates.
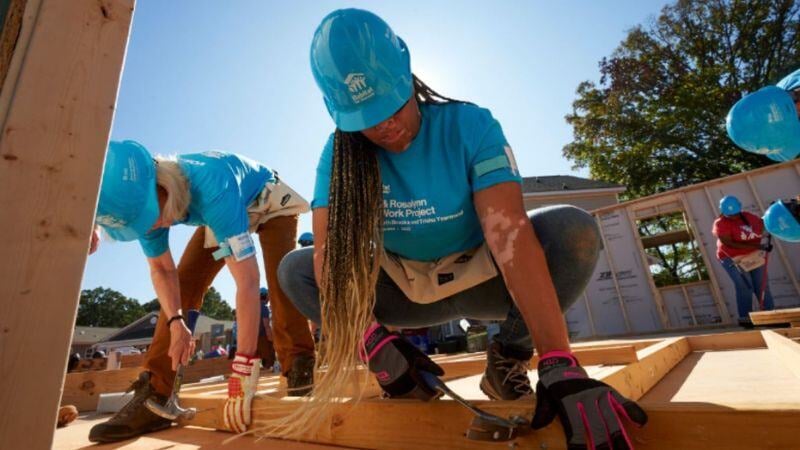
(428, 186)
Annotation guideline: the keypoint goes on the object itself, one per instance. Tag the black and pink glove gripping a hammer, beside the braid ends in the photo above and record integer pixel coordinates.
(396, 364)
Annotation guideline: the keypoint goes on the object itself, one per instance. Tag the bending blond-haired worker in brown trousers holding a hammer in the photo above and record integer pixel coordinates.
(228, 197)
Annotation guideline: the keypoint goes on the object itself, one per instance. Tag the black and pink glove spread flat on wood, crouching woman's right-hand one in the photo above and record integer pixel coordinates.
(590, 411)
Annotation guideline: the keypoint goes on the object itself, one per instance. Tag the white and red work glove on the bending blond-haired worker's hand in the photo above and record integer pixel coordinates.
(242, 386)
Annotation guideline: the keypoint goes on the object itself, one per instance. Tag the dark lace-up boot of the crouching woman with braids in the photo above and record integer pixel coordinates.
(506, 376)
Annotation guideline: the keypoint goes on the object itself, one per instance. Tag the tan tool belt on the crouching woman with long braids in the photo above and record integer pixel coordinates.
(430, 281)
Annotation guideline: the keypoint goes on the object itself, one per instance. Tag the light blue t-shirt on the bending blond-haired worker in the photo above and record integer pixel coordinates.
(222, 185)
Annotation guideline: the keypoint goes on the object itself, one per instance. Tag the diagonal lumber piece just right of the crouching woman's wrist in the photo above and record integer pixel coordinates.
(635, 379)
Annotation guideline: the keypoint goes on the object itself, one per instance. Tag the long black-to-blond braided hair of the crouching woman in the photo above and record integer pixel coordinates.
(349, 274)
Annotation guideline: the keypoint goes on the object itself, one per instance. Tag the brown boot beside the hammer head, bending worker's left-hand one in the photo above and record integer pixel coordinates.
(134, 418)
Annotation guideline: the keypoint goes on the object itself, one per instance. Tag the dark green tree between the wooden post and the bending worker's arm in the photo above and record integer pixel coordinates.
(103, 307)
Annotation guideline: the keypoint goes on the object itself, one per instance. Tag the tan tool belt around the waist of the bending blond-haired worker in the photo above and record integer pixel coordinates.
(275, 200)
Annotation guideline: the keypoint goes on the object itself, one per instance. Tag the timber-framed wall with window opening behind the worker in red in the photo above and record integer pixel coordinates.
(622, 299)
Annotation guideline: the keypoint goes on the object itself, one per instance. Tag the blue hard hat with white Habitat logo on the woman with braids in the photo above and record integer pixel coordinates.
(362, 68)
